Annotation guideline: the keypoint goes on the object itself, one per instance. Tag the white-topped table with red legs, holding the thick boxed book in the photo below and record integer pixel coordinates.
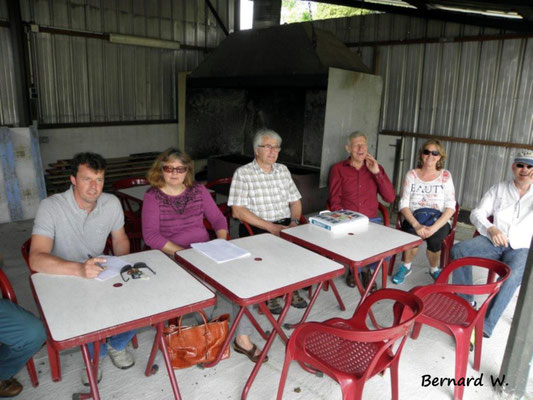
(355, 248)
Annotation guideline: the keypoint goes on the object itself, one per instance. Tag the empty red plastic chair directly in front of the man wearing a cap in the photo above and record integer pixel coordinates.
(450, 313)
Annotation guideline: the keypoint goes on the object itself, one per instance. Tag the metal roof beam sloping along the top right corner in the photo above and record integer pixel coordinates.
(440, 15)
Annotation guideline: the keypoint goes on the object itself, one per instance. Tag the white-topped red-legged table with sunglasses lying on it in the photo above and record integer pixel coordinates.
(77, 311)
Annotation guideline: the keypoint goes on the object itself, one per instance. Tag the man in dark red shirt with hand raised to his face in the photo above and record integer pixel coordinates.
(354, 185)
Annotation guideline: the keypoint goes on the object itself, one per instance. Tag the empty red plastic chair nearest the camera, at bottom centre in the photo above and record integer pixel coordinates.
(348, 350)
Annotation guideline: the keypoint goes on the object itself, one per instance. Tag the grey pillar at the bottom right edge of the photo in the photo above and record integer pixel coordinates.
(519, 350)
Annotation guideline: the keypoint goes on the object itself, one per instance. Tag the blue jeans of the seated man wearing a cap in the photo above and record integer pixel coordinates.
(481, 246)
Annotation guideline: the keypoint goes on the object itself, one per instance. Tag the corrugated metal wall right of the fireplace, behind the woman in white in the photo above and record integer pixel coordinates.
(474, 89)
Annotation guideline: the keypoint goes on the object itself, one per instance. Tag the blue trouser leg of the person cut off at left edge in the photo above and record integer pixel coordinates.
(21, 336)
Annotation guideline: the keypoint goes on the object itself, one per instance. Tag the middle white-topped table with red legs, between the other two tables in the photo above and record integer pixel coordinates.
(275, 267)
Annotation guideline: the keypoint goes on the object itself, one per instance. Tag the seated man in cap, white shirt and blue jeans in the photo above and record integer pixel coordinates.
(506, 239)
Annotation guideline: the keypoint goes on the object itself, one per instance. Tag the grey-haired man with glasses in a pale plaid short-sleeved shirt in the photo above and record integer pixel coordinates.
(264, 195)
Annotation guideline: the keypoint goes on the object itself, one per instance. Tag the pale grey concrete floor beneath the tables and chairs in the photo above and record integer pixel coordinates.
(433, 353)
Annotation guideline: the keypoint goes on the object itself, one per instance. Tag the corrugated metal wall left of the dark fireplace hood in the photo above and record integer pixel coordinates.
(82, 79)
